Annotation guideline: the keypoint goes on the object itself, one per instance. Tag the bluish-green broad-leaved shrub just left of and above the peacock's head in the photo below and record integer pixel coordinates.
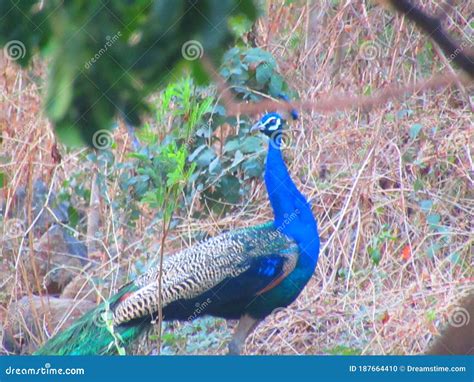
(224, 162)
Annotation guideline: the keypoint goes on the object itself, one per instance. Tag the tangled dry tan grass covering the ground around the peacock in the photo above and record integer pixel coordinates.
(352, 166)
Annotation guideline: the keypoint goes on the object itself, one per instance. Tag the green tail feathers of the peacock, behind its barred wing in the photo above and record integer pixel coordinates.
(92, 335)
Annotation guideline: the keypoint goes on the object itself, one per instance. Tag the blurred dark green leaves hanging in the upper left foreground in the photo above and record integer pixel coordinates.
(106, 59)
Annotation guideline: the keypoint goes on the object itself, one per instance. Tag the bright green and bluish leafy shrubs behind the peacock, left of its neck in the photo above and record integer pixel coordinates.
(190, 149)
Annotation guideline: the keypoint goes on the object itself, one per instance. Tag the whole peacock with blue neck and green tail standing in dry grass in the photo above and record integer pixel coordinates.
(244, 274)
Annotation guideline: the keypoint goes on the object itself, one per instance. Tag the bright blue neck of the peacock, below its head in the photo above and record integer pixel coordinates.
(293, 215)
